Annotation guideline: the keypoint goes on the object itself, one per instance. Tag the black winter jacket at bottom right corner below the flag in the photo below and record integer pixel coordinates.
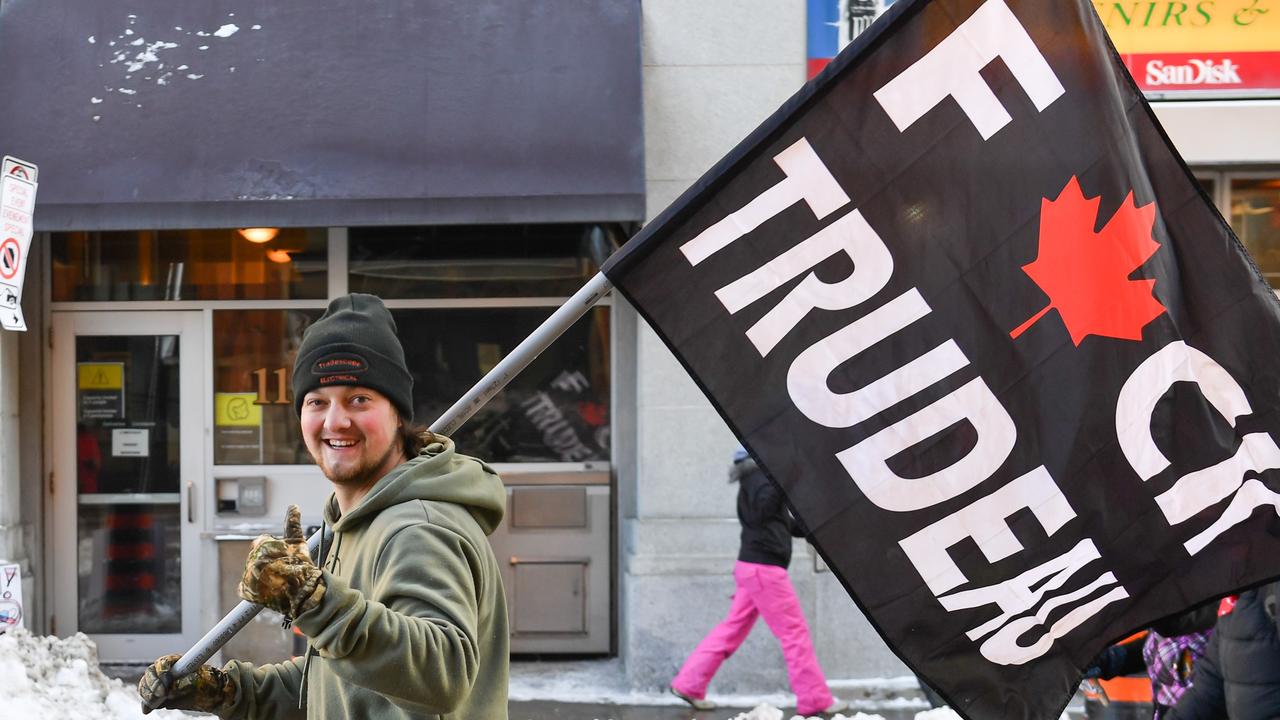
(1240, 676)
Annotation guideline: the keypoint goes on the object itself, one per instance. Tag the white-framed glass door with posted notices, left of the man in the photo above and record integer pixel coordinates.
(129, 466)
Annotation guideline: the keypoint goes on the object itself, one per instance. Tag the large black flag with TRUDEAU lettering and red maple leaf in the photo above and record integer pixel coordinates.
(972, 313)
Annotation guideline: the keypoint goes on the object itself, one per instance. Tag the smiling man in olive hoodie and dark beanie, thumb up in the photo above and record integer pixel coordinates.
(405, 616)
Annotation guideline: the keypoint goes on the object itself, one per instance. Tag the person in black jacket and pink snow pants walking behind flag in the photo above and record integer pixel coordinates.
(764, 590)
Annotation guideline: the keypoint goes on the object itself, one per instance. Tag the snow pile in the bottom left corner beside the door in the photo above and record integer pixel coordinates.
(47, 677)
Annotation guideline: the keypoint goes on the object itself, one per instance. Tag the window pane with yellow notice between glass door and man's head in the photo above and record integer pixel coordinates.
(254, 417)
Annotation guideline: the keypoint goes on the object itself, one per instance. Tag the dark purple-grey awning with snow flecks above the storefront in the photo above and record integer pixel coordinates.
(158, 115)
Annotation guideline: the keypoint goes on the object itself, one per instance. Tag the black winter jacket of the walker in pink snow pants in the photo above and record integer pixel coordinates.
(767, 525)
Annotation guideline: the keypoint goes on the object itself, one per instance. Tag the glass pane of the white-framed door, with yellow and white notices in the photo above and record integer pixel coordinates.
(127, 480)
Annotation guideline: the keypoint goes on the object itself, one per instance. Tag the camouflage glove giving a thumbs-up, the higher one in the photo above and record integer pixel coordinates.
(280, 572)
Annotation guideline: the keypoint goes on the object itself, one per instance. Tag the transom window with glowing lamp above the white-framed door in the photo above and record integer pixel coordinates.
(202, 265)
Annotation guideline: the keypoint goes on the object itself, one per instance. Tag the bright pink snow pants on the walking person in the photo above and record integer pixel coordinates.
(762, 591)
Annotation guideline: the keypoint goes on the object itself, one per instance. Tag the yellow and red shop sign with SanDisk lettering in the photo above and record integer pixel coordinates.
(1224, 48)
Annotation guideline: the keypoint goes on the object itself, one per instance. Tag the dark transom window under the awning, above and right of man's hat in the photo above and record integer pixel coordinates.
(550, 261)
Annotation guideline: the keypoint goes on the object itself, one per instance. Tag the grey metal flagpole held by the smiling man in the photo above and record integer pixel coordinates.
(460, 413)
